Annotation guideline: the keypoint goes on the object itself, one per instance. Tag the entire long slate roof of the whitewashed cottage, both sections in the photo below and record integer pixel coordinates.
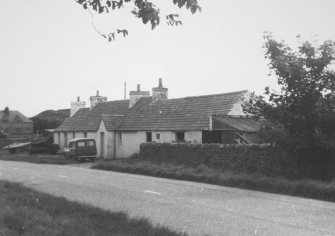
(189, 113)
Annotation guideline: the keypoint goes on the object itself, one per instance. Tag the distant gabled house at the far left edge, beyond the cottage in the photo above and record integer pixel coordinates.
(14, 124)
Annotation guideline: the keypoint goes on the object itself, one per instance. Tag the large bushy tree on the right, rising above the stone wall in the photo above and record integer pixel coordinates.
(300, 115)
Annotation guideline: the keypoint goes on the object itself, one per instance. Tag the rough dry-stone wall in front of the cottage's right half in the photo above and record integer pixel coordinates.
(256, 159)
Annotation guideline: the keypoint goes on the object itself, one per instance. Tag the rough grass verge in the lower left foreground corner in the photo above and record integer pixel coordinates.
(28, 212)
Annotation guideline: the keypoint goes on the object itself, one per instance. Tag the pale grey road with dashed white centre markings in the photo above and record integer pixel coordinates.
(194, 208)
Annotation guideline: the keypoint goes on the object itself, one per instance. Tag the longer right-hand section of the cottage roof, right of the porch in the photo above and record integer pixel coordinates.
(190, 113)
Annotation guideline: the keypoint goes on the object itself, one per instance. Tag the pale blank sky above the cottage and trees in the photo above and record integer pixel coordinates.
(50, 52)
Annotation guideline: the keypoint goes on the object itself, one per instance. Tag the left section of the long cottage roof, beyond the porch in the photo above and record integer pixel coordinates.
(89, 120)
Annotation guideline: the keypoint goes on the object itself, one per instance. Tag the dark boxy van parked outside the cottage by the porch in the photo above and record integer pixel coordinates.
(81, 149)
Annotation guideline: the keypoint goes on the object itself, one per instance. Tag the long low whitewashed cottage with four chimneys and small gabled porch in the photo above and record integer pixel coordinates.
(119, 127)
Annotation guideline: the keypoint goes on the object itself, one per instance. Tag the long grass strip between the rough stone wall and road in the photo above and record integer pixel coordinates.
(307, 188)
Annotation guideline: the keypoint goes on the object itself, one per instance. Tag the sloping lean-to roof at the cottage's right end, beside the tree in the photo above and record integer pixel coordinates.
(241, 124)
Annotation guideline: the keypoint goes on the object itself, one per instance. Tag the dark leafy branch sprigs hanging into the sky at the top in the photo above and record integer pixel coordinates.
(143, 9)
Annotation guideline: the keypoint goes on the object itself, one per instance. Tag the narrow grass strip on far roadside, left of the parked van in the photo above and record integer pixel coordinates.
(36, 158)
